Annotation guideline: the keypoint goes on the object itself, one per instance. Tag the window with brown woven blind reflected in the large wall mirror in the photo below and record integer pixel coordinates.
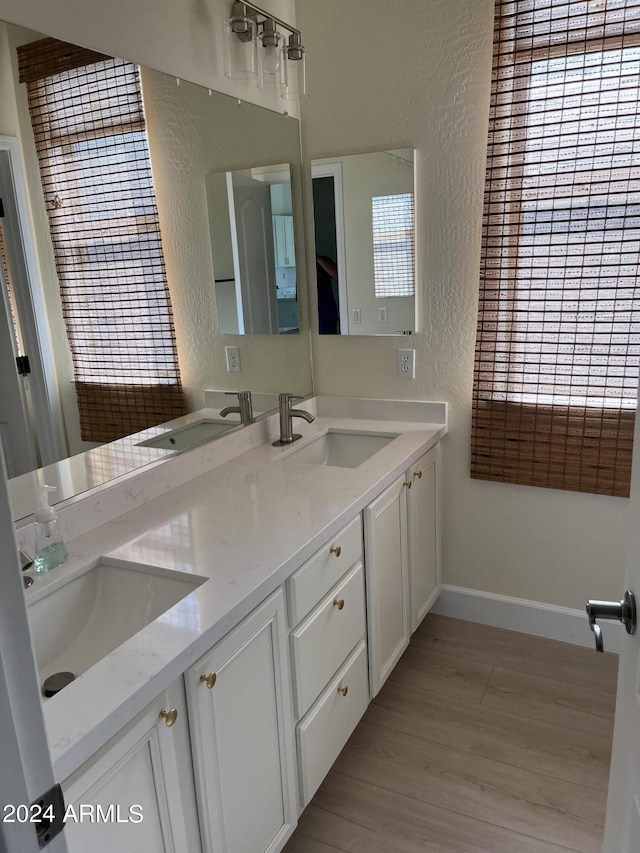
(88, 122)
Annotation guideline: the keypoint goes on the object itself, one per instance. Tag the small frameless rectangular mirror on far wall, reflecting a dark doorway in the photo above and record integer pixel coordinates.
(364, 228)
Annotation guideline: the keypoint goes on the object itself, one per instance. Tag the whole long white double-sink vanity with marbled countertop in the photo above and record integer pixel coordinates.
(304, 571)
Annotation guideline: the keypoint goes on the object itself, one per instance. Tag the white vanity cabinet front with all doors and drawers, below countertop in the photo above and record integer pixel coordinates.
(273, 703)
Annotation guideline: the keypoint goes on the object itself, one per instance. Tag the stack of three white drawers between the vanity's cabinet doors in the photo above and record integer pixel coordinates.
(329, 654)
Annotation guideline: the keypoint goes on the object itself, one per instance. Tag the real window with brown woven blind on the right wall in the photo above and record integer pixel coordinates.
(556, 366)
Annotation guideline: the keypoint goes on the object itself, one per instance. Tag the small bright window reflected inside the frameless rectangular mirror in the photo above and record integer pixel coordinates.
(393, 245)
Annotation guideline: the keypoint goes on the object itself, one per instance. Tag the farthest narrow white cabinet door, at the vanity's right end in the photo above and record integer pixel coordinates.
(424, 534)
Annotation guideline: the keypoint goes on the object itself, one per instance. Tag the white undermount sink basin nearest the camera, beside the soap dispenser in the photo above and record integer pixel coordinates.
(79, 623)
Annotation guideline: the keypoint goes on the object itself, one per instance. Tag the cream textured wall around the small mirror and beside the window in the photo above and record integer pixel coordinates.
(416, 73)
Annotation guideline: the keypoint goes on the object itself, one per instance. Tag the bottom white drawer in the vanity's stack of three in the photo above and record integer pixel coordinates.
(330, 722)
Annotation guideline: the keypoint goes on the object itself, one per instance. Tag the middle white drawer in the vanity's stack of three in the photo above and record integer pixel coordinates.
(323, 640)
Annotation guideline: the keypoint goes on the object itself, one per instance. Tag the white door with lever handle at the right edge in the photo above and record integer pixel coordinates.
(622, 830)
